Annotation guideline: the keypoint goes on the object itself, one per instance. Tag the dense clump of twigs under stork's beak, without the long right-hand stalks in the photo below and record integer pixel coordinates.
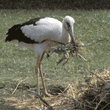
(66, 51)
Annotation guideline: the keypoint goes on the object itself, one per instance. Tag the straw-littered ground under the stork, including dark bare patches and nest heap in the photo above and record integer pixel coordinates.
(93, 94)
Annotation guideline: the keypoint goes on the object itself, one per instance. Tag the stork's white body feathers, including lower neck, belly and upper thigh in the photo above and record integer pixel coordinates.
(50, 28)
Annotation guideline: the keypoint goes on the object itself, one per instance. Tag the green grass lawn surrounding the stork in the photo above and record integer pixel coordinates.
(18, 63)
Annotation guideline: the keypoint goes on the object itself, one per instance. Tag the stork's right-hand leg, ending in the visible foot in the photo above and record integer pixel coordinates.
(42, 78)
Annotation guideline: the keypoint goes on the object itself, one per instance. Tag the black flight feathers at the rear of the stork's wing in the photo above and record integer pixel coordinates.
(15, 32)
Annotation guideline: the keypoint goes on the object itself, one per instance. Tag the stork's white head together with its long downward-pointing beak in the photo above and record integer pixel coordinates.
(68, 22)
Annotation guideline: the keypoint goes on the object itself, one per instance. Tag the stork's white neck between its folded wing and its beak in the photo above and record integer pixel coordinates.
(65, 37)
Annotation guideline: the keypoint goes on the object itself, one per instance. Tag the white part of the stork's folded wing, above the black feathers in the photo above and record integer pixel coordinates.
(44, 27)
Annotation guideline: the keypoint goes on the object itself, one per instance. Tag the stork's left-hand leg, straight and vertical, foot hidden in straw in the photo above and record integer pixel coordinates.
(37, 73)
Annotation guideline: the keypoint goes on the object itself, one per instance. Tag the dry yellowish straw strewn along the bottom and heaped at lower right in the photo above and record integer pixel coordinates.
(94, 94)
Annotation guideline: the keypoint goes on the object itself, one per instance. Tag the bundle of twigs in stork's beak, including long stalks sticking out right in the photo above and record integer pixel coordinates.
(74, 51)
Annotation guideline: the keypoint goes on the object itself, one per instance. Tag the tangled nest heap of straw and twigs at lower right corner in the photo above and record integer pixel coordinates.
(96, 95)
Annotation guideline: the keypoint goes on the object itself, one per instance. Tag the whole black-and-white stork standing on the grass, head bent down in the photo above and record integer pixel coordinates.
(41, 34)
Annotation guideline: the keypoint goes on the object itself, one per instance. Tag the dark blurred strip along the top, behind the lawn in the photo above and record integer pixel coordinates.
(55, 4)
